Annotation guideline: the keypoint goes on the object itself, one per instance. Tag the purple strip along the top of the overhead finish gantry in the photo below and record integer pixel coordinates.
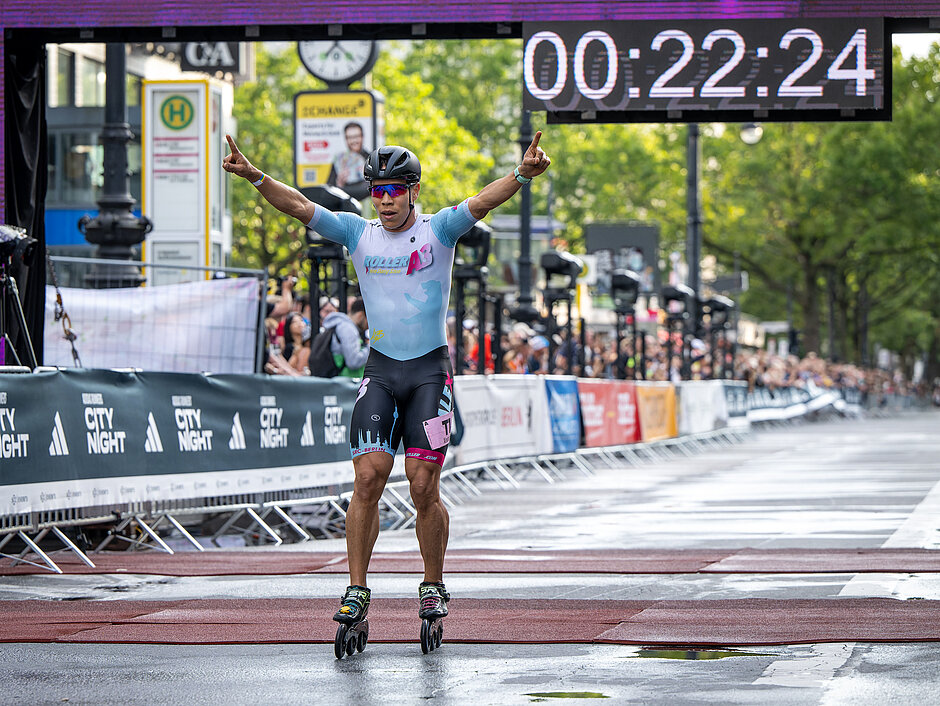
(176, 13)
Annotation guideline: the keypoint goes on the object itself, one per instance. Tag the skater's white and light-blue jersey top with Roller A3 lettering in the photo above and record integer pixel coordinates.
(404, 276)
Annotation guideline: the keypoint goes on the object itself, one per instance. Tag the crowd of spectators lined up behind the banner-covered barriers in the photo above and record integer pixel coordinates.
(522, 350)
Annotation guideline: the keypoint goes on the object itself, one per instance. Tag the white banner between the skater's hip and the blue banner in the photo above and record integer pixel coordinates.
(503, 416)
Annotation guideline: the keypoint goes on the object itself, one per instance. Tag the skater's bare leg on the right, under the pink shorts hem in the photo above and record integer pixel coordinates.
(433, 523)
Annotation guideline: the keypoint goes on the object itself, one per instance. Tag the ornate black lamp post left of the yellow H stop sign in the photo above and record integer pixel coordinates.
(115, 229)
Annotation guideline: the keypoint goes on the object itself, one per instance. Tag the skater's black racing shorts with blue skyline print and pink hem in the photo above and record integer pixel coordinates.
(410, 401)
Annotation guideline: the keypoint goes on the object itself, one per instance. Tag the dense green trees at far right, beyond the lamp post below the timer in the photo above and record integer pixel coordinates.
(840, 212)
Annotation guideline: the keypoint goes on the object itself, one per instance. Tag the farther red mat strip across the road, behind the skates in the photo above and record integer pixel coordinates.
(627, 561)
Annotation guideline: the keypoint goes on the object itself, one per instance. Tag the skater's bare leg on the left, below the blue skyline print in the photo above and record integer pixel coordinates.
(362, 515)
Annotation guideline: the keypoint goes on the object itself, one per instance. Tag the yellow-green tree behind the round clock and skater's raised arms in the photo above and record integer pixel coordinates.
(267, 239)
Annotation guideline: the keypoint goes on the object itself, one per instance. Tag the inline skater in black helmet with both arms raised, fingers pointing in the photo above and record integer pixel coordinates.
(404, 262)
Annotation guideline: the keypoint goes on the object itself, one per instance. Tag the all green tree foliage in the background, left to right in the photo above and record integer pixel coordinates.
(817, 213)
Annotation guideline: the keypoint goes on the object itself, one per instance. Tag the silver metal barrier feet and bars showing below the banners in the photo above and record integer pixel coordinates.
(306, 514)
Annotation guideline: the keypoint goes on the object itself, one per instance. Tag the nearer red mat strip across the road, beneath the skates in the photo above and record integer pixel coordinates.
(686, 623)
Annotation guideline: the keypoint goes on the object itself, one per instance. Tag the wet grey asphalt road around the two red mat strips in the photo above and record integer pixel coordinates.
(868, 483)
